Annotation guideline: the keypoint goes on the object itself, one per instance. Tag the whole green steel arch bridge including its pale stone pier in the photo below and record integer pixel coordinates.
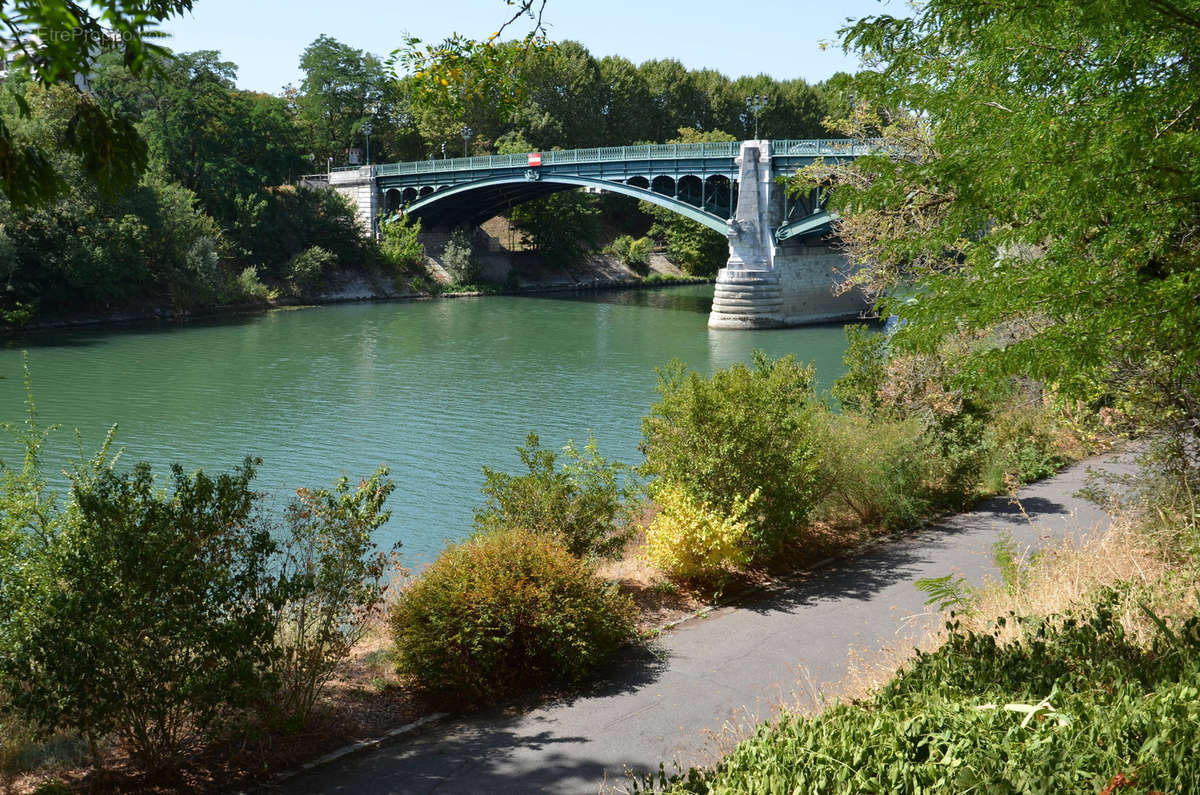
(778, 273)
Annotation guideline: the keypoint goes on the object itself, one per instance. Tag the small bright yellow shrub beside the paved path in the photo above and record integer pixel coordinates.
(691, 541)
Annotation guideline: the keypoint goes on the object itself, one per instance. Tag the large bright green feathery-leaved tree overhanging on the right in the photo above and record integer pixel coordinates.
(1042, 188)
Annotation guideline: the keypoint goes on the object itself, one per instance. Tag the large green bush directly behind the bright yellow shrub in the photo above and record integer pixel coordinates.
(741, 431)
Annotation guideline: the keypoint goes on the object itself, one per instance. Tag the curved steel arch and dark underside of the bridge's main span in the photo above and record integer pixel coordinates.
(481, 200)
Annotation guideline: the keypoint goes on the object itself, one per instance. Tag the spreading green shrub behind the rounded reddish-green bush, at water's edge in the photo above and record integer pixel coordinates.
(583, 504)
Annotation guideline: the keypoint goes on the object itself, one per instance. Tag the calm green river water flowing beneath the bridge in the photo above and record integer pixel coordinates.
(435, 390)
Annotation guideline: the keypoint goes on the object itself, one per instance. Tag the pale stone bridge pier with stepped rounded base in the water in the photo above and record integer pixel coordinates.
(769, 283)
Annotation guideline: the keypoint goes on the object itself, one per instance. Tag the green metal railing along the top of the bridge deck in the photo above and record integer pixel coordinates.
(815, 147)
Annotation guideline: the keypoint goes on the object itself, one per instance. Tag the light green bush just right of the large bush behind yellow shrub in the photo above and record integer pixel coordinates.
(875, 470)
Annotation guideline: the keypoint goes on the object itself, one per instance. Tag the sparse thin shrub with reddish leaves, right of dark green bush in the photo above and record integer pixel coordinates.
(334, 583)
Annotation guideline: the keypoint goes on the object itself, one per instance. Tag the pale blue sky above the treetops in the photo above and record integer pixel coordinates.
(737, 38)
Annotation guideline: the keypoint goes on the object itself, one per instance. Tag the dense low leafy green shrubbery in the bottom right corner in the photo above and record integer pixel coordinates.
(1073, 707)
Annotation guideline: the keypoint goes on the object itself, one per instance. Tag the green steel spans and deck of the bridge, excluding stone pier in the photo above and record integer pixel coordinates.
(698, 181)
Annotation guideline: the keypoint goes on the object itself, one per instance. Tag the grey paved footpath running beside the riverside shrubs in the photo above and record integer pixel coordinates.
(730, 668)
